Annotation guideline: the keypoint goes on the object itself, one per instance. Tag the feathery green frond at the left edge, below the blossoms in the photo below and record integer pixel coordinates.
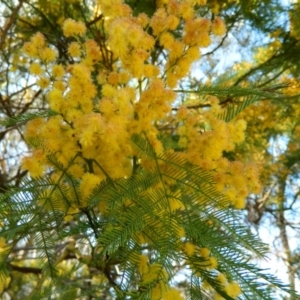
(33, 209)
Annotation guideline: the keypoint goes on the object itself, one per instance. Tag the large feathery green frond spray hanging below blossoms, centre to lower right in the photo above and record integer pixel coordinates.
(139, 208)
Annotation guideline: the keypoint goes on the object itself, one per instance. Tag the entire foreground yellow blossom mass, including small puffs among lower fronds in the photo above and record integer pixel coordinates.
(116, 88)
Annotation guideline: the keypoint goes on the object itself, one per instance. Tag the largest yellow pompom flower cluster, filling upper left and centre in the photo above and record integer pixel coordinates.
(89, 121)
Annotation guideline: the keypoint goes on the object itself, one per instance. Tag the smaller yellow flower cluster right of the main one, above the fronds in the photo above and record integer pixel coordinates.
(205, 138)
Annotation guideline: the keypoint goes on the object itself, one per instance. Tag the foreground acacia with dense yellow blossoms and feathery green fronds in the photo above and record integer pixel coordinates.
(136, 174)
